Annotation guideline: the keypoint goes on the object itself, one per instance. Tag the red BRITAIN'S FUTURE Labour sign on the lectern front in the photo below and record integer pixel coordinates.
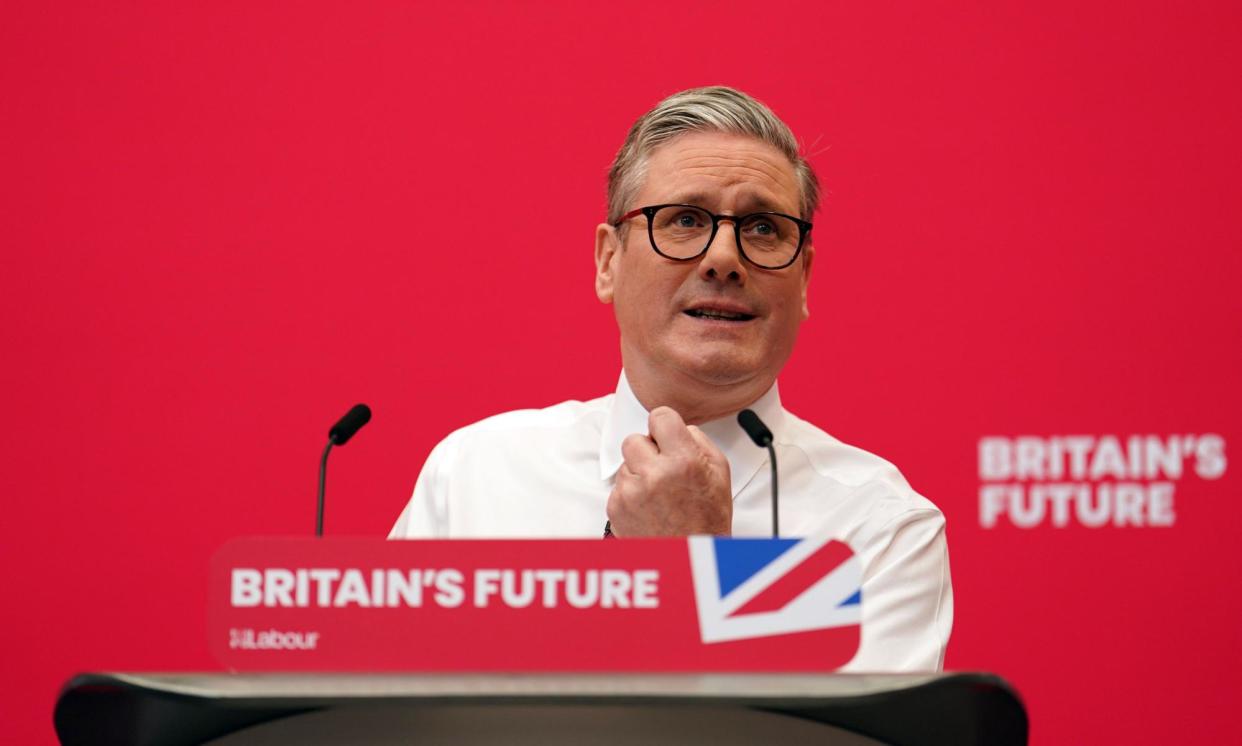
(634, 605)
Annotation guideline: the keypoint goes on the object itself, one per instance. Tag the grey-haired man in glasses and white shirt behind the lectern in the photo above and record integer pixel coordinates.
(706, 258)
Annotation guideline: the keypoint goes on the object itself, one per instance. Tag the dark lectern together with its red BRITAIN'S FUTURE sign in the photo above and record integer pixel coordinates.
(648, 641)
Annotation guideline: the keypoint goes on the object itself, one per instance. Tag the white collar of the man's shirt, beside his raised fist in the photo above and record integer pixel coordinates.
(628, 416)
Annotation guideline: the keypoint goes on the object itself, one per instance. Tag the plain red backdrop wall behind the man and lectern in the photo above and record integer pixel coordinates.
(223, 227)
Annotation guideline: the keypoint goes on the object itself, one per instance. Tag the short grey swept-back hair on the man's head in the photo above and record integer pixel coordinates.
(715, 109)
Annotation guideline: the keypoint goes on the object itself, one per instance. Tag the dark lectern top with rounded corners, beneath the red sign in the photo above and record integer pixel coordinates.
(897, 709)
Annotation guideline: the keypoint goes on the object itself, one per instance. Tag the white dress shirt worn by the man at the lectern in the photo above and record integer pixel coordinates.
(548, 474)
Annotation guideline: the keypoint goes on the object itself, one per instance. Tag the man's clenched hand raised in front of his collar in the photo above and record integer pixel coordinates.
(674, 483)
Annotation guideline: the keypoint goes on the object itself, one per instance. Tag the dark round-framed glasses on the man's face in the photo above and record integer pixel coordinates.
(684, 233)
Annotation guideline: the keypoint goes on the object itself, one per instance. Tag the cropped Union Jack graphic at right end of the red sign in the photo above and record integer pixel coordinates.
(762, 588)
